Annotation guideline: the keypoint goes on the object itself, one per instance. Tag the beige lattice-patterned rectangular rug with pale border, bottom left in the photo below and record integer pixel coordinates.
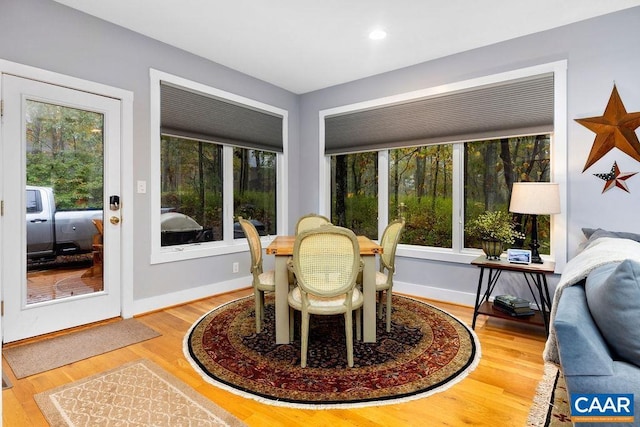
(139, 393)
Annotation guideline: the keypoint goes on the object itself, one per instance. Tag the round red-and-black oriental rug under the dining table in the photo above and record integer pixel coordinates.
(427, 351)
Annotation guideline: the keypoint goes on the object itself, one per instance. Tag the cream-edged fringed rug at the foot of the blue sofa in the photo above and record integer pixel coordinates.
(551, 404)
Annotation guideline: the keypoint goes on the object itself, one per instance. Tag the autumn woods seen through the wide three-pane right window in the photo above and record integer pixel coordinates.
(420, 182)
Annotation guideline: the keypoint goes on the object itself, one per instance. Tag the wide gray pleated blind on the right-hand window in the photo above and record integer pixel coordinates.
(515, 107)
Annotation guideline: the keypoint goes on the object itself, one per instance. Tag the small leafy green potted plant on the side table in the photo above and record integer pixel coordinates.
(494, 229)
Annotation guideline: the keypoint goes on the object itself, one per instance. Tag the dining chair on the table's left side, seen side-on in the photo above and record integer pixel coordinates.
(263, 281)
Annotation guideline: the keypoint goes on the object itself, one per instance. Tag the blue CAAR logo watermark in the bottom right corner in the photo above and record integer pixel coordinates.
(602, 408)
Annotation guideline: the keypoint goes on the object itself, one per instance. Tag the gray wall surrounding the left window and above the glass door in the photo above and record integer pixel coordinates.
(47, 35)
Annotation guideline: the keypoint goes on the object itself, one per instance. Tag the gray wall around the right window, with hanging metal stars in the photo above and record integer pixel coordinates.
(599, 52)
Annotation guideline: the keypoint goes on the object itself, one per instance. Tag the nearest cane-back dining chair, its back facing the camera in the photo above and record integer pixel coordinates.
(326, 262)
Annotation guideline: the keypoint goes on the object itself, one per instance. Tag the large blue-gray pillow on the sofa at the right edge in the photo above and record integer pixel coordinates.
(614, 304)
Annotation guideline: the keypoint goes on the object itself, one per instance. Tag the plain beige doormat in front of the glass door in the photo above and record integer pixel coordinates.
(51, 353)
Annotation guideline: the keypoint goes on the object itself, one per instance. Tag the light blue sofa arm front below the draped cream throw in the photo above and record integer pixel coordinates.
(581, 347)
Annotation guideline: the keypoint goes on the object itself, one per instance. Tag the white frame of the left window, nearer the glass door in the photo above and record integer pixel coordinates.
(228, 244)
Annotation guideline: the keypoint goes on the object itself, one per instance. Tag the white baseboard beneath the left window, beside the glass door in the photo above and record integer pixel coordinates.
(175, 298)
